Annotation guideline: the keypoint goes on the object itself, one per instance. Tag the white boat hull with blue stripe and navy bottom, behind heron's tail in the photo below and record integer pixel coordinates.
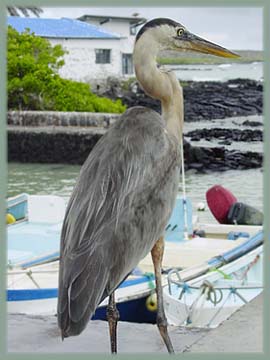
(33, 291)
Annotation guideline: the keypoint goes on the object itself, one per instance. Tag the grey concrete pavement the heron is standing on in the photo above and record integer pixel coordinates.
(242, 332)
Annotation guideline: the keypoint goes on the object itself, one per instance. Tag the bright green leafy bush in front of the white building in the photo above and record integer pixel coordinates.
(34, 84)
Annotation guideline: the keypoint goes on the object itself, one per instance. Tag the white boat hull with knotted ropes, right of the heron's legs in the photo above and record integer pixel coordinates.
(195, 307)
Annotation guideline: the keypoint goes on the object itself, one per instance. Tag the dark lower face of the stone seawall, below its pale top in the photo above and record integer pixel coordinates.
(50, 145)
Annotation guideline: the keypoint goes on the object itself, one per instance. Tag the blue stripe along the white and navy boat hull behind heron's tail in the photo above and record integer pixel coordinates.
(49, 293)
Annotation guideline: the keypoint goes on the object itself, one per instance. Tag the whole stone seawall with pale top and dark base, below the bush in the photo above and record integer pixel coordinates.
(54, 137)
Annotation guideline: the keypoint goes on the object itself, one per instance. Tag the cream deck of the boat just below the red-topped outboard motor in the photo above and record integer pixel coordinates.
(181, 253)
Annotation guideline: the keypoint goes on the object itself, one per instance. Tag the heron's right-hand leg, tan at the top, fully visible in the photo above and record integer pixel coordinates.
(157, 255)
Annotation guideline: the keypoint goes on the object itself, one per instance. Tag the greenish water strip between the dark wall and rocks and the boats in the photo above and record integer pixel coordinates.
(246, 185)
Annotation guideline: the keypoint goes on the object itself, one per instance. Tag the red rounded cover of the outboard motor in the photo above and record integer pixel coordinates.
(219, 201)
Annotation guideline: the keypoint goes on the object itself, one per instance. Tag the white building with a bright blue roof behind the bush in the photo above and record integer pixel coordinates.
(95, 51)
